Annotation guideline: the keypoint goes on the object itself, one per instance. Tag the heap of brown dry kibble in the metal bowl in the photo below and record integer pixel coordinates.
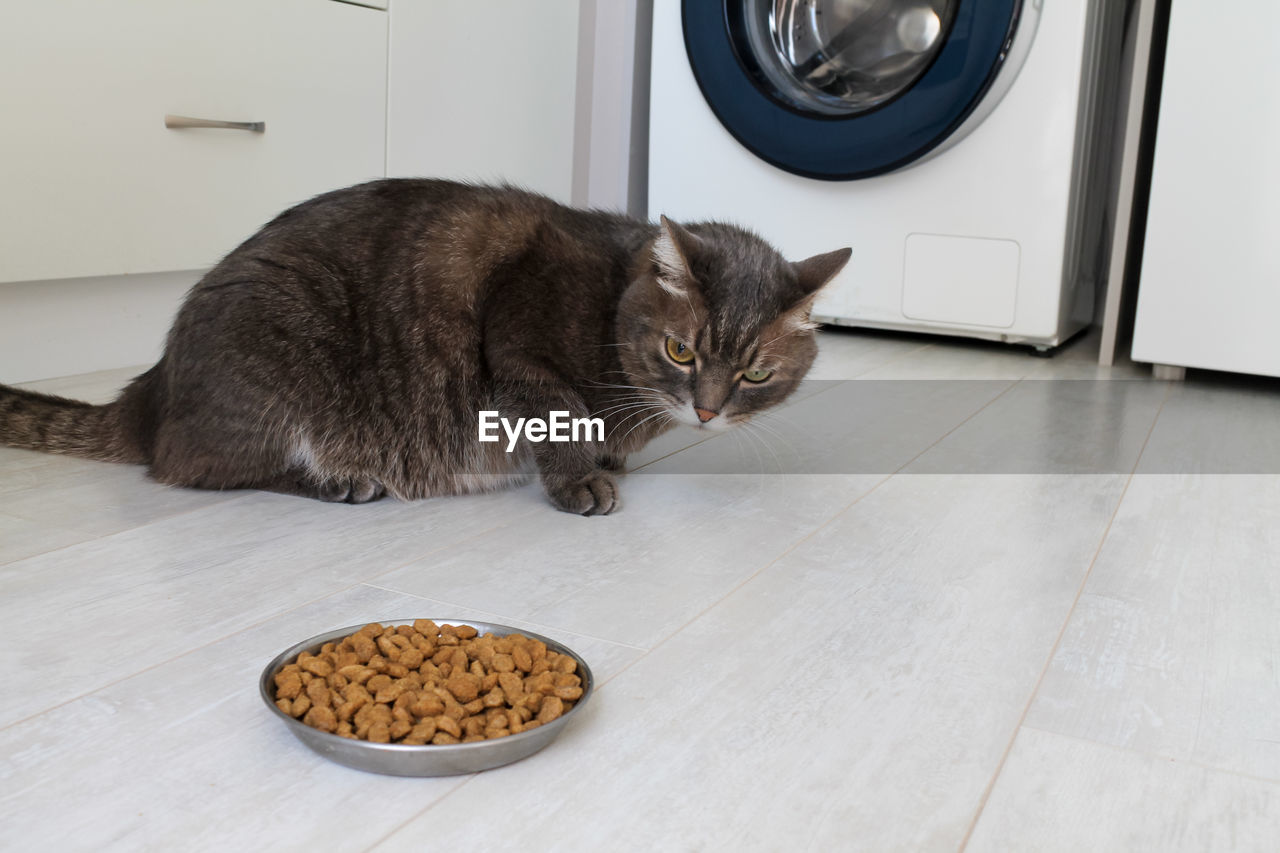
(427, 683)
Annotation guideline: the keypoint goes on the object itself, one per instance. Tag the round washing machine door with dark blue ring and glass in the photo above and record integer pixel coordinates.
(852, 89)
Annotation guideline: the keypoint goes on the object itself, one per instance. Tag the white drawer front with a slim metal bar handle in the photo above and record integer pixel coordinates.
(92, 180)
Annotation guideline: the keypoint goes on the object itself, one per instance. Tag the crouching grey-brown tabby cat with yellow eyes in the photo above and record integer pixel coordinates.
(345, 352)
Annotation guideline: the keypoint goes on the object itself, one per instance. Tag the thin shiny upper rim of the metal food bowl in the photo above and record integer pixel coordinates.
(266, 687)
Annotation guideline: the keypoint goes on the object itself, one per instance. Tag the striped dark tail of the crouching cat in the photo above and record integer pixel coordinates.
(118, 432)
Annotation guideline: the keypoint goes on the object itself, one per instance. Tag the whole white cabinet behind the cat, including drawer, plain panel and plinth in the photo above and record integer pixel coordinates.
(107, 217)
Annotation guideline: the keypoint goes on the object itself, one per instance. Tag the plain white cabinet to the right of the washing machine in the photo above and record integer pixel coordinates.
(1210, 290)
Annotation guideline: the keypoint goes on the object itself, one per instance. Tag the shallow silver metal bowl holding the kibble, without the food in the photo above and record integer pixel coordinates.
(431, 760)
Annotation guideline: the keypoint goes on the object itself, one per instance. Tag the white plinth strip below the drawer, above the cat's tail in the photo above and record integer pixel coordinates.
(65, 327)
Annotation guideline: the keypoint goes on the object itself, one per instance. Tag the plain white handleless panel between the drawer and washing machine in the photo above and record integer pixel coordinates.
(484, 90)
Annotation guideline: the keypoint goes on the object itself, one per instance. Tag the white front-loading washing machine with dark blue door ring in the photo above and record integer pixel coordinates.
(962, 148)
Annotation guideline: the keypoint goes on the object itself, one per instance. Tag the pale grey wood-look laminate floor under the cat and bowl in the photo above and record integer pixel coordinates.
(952, 597)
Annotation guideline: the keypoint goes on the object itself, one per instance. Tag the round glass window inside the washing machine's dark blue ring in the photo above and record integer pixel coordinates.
(844, 57)
